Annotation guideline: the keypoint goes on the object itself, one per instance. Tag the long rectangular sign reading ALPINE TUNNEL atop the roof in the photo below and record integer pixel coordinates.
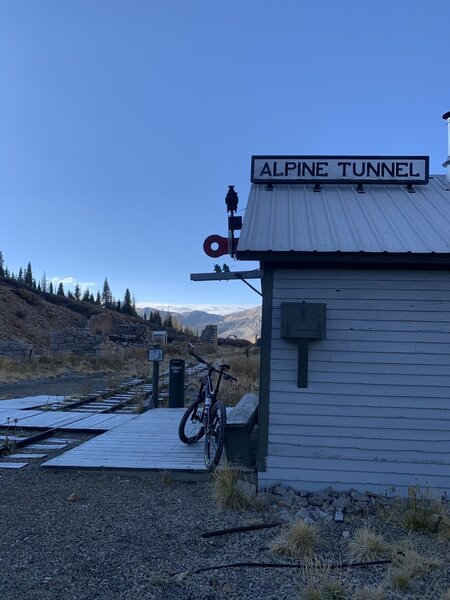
(341, 169)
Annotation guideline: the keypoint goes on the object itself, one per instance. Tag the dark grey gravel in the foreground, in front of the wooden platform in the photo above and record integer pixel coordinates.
(123, 537)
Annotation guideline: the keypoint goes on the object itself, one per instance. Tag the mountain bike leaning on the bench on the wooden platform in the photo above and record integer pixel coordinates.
(207, 415)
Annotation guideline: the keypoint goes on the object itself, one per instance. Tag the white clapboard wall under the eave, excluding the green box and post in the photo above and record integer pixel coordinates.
(376, 412)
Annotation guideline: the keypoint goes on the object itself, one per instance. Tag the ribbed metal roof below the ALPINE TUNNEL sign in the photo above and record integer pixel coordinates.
(385, 218)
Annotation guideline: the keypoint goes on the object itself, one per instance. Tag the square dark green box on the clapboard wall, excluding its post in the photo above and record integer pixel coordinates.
(303, 320)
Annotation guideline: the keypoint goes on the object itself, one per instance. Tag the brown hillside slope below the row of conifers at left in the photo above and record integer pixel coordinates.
(31, 316)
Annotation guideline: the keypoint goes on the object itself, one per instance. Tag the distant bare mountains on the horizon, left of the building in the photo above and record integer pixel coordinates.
(244, 324)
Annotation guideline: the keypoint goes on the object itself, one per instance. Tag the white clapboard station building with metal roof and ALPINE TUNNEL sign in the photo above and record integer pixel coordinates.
(355, 366)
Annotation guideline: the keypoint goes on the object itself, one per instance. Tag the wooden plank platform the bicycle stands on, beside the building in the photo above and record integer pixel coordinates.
(148, 441)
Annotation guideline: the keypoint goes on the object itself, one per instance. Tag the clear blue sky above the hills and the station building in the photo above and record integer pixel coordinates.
(122, 122)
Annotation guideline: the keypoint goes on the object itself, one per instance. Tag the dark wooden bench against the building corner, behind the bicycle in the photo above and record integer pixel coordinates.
(240, 422)
